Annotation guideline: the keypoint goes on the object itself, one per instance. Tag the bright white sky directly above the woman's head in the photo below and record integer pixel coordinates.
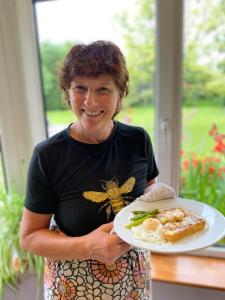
(80, 20)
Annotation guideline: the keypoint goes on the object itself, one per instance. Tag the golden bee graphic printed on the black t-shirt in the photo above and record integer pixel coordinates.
(112, 192)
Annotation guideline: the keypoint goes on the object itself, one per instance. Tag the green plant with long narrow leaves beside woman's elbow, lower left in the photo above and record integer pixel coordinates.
(13, 260)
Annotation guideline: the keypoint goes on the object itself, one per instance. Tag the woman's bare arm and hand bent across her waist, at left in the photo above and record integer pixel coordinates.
(36, 237)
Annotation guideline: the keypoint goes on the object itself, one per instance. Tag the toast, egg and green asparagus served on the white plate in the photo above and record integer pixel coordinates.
(163, 226)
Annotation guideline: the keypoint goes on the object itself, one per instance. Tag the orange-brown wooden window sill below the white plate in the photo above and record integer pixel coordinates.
(196, 271)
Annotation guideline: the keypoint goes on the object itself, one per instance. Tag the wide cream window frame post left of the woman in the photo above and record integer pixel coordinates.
(22, 122)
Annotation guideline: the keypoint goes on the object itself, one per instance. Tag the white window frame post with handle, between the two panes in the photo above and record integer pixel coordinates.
(169, 31)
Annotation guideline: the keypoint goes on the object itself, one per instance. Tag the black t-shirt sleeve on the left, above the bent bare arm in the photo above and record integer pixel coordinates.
(39, 194)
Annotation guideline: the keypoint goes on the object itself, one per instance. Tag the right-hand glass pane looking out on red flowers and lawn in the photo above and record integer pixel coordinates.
(203, 131)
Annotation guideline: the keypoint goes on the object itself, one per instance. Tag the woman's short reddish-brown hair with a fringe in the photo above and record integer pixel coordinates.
(92, 60)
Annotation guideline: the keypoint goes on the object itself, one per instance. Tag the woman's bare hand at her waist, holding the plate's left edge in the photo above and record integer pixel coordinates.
(104, 246)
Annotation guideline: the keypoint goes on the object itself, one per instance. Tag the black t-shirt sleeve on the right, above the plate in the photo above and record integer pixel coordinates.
(153, 171)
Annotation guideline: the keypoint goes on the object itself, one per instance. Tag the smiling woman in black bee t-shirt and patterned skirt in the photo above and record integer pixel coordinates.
(81, 177)
